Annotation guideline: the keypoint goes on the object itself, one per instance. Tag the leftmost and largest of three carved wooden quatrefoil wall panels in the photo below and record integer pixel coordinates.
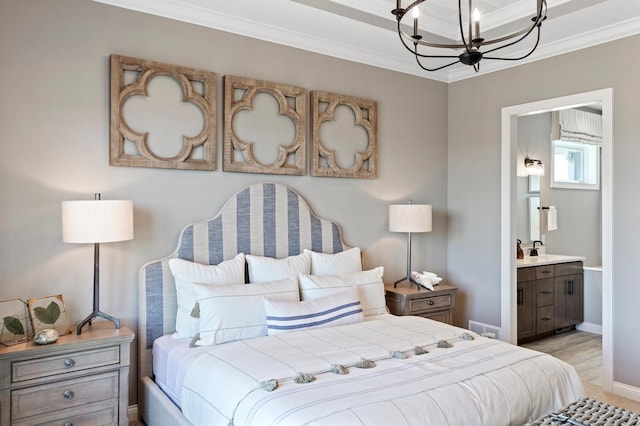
(182, 136)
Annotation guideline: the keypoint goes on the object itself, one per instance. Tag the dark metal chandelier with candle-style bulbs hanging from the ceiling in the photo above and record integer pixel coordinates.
(474, 48)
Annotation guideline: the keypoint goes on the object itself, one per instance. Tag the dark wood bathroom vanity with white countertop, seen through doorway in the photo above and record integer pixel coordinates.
(550, 295)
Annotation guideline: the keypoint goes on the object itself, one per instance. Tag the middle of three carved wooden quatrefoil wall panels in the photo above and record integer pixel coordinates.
(264, 127)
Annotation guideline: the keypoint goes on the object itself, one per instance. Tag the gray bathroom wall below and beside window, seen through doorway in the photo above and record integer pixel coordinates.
(579, 213)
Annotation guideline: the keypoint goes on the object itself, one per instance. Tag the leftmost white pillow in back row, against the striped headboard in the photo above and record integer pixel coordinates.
(186, 273)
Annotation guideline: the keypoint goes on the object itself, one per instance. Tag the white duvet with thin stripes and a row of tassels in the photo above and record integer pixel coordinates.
(473, 382)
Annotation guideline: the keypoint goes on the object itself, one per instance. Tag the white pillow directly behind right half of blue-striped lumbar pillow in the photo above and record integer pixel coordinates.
(369, 284)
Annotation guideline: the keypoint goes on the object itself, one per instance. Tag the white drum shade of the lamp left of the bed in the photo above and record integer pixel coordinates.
(97, 221)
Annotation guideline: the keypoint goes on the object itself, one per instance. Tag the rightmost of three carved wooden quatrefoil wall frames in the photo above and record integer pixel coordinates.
(323, 106)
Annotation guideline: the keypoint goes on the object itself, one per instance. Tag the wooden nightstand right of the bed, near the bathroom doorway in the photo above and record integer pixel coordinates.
(407, 300)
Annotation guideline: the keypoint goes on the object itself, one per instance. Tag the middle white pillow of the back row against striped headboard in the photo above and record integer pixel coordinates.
(264, 269)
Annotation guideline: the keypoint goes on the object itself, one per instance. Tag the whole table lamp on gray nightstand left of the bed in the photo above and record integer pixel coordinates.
(97, 221)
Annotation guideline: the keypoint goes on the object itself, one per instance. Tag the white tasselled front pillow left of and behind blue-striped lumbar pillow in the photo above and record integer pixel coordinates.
(236, 312)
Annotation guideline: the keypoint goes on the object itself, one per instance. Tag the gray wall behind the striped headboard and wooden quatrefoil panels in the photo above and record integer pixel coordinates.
(54, 139)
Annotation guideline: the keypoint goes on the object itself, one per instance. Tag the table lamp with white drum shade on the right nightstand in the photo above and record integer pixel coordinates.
(409, 218)
